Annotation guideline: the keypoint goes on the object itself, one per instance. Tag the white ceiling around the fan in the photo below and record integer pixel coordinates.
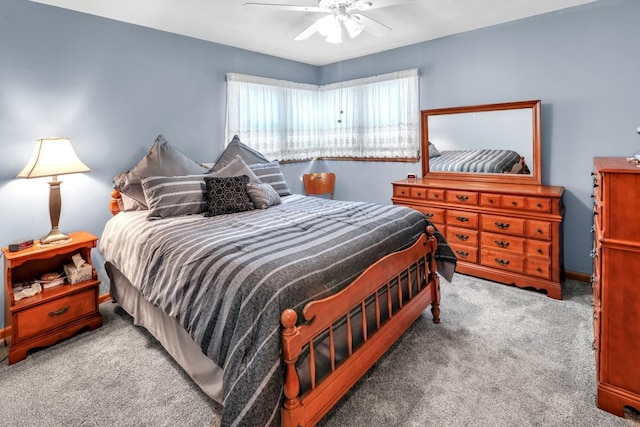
(263, 30)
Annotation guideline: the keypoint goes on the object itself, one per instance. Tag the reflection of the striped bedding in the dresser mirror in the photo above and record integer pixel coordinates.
(484, 161)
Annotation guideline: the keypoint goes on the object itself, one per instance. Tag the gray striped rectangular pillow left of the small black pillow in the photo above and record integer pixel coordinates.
(168, 196)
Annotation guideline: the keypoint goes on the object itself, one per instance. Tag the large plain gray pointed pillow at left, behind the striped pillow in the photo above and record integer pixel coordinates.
(162, 160)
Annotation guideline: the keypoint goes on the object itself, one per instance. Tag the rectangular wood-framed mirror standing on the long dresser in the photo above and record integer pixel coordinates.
(490, 143)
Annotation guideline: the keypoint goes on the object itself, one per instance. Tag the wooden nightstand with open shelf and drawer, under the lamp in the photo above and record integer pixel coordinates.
(55, 313)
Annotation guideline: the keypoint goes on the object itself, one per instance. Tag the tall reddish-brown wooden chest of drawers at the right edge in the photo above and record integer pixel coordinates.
(616, 283)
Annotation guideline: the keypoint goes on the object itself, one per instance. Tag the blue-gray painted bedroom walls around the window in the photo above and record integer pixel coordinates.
(113, 87)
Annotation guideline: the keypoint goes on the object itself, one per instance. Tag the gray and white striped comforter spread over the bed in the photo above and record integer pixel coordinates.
(226, 279)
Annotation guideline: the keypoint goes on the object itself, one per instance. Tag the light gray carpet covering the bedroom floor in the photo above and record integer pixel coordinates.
(502, 356)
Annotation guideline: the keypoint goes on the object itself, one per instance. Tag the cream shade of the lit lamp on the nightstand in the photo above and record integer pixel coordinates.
(52, 157)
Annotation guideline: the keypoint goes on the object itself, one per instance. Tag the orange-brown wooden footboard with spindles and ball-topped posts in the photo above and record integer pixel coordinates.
(376, 287)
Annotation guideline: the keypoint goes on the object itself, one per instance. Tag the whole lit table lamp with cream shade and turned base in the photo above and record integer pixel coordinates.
(53, 157)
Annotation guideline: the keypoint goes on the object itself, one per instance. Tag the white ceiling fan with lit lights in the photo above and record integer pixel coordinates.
(338, 14)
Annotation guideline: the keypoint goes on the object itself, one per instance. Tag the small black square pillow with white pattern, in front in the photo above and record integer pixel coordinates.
(227, 195)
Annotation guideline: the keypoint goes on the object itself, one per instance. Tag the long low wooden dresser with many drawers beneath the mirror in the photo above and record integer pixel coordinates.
(508, 233)
